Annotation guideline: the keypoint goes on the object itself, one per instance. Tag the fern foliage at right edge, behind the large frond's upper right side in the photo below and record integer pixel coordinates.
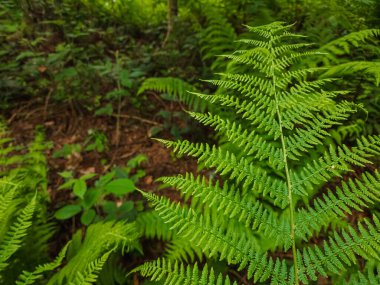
(354, 58)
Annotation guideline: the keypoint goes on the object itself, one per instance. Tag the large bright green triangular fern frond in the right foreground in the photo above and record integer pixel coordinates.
(281, 213)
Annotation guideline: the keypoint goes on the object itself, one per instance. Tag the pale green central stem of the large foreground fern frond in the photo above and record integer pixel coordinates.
(288, 182)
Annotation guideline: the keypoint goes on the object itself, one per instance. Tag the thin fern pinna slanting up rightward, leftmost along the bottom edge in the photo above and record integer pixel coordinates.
(27, 278)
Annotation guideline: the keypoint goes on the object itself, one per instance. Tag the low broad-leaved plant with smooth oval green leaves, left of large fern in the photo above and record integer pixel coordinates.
(119, 182)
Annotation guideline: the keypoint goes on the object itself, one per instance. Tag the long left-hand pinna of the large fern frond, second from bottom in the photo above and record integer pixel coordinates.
(212, 238)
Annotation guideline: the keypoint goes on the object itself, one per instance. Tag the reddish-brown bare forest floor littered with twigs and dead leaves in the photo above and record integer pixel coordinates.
(63, 126)
